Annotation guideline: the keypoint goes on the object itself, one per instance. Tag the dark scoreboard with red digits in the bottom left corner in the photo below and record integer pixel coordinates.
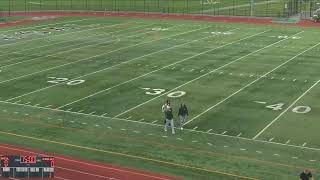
(26, 167)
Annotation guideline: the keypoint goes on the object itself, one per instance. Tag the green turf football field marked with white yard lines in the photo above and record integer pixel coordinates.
(100, 83)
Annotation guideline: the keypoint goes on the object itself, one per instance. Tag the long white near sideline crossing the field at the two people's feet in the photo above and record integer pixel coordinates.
(160, 125)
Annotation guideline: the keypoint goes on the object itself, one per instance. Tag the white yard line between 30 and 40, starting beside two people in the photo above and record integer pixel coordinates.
(207, 110)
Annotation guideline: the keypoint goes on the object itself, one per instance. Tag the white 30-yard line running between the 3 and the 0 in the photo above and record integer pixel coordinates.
(199, 77)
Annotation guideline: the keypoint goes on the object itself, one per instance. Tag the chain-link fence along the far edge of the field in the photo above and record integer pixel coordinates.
(259, 8)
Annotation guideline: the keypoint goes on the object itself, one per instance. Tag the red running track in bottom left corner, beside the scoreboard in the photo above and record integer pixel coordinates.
(67, 168)
